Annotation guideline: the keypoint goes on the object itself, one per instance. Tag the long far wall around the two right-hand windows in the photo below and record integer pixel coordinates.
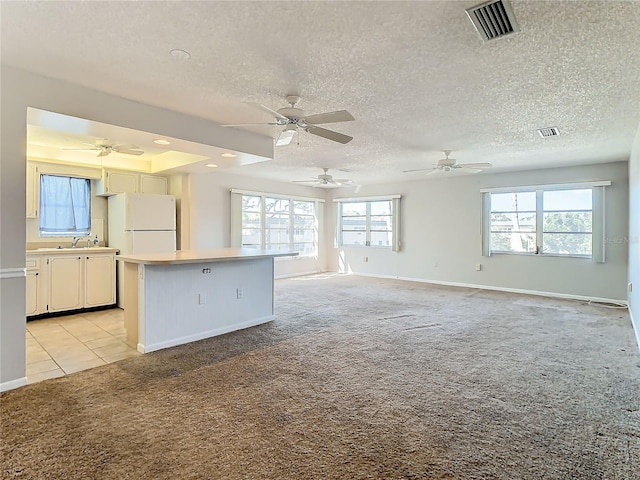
(441, 236)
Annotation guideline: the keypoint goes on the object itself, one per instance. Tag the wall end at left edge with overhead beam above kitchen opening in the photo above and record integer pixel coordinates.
(20, 90)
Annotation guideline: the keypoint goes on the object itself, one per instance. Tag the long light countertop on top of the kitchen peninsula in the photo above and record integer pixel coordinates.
(203, 256)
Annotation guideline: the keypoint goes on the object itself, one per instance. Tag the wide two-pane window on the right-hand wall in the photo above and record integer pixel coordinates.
(551, 220)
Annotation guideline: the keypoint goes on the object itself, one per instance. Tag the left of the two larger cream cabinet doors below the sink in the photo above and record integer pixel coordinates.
(65, 282)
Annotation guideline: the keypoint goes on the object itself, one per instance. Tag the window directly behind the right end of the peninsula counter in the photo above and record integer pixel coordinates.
(278, 223)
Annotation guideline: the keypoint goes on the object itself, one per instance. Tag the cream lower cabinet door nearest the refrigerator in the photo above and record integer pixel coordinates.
(99, 280)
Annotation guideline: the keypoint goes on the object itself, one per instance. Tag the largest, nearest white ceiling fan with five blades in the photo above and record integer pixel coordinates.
(295, 119)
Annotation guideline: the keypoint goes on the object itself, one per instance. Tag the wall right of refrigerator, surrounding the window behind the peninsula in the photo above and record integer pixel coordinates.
(210, 212)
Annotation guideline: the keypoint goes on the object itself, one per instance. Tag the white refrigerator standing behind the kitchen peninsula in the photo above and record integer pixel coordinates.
(140, 223)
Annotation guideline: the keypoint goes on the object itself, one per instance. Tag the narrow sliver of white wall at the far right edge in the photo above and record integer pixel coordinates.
(634, 234)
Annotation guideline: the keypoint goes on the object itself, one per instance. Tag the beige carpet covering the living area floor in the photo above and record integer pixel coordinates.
(358, 378)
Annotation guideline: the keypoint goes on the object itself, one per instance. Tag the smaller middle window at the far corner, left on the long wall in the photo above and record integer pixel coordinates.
(370, 223)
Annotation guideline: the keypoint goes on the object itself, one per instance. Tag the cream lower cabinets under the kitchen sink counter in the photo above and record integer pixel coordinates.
(71, 282)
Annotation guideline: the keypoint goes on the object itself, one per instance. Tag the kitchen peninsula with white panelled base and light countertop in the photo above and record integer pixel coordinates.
(189, 295)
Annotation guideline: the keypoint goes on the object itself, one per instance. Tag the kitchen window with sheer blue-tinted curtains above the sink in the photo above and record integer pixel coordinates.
(65, 206)
